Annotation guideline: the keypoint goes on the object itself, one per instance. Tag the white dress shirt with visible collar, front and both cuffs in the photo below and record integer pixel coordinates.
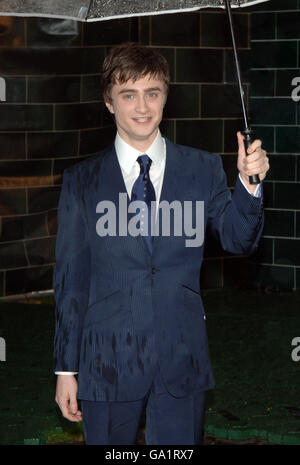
(130, 168)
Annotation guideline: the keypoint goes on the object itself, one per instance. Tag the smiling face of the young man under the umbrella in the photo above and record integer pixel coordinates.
(138, 109)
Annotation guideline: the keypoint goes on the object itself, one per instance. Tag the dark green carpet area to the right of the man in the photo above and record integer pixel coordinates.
(257, 382)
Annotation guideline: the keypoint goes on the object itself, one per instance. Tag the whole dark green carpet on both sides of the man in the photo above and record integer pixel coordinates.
(250, 335)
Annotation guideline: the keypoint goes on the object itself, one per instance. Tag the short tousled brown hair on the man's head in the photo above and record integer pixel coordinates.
(132, 61)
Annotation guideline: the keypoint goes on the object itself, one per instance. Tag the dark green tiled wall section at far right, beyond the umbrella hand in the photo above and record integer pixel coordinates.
(275, 64)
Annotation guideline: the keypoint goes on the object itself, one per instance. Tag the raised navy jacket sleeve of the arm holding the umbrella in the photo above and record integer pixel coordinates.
(237, 219)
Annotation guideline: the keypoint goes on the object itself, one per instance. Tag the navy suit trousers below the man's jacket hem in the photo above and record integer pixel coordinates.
(169, 420)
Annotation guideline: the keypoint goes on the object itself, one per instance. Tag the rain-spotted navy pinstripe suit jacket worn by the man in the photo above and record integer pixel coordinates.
(120, 311)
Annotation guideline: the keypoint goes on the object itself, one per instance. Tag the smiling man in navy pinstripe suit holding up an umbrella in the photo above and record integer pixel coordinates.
(130, 320)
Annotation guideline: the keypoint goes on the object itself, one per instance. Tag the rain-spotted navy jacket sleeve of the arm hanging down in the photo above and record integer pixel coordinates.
(71, 277)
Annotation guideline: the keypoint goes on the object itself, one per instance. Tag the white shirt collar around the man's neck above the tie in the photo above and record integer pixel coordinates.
(127, 155)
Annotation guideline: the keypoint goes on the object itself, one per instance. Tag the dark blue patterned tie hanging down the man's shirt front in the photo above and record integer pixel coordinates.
(143, 190)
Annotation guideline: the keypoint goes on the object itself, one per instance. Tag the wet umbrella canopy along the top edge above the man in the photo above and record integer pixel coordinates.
(99, 10)
